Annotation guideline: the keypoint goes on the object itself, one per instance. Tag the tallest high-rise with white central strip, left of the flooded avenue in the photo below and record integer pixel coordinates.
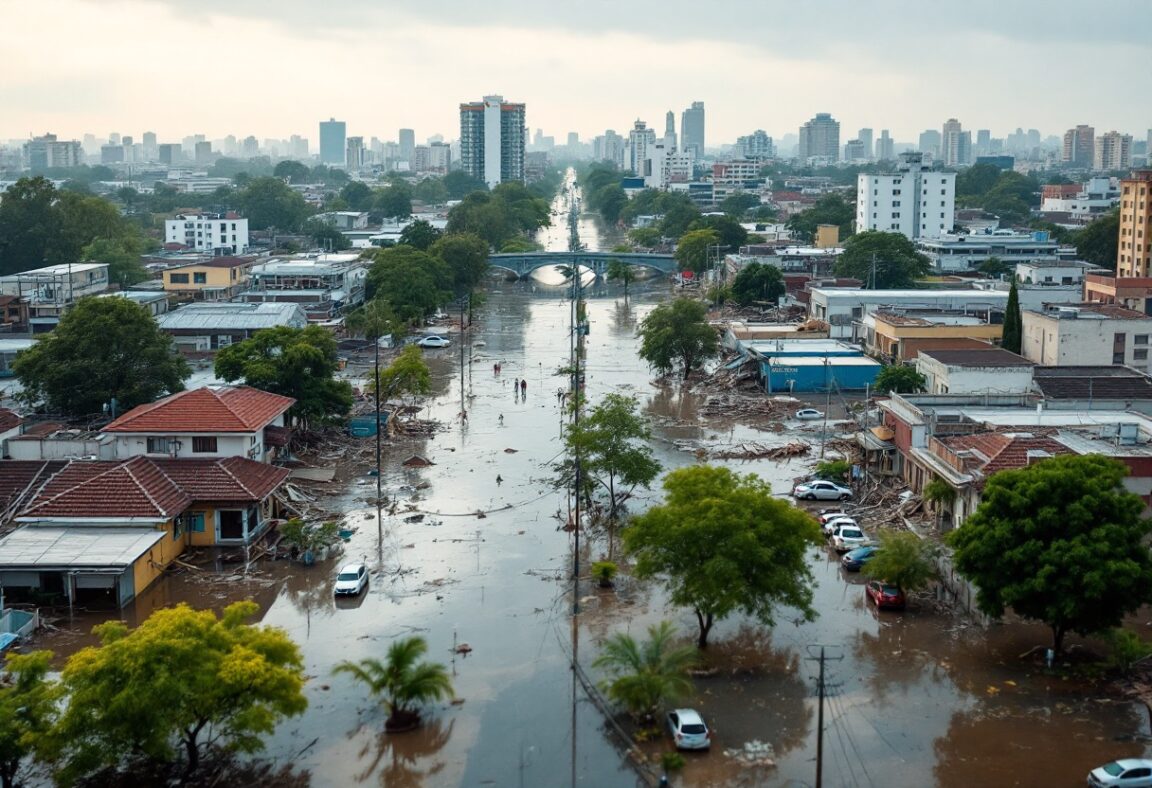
(492, 138)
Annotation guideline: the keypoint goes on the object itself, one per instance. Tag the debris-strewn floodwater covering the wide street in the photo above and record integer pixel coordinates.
(916, 699)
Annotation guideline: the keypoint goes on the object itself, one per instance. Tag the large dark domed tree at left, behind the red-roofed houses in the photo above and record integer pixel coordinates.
(103, 350)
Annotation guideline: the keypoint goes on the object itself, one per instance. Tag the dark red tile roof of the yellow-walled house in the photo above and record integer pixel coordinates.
(151, 489)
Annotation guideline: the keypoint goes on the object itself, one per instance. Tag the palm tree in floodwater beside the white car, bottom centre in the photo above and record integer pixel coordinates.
(650, 675)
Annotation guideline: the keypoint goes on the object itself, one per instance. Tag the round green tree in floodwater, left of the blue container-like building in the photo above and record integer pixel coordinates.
(678, 336)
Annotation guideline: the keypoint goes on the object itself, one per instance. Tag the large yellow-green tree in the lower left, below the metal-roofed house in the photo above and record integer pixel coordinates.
(179, 683)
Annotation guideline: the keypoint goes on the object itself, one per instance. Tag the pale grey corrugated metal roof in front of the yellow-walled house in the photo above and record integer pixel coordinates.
(77, 548)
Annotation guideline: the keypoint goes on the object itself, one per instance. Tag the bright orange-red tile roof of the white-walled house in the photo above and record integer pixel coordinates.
(230, 410)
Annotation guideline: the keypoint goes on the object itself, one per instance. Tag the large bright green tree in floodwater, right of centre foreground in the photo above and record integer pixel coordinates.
(723, 543)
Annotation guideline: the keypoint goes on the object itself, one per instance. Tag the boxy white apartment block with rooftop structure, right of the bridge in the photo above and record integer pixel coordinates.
(915, 201)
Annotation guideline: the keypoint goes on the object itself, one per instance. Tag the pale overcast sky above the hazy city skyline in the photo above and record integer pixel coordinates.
(277, 67)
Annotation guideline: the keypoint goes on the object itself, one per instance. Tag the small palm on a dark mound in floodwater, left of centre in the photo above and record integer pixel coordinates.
(403, 683)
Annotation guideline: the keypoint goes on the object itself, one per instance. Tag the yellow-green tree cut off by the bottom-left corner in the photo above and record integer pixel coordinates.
(28, 710)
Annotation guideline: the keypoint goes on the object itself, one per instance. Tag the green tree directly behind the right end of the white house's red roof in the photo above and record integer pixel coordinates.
(300, 363)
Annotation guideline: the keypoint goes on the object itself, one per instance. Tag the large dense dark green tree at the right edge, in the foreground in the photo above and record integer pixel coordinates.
(1059, 542)
